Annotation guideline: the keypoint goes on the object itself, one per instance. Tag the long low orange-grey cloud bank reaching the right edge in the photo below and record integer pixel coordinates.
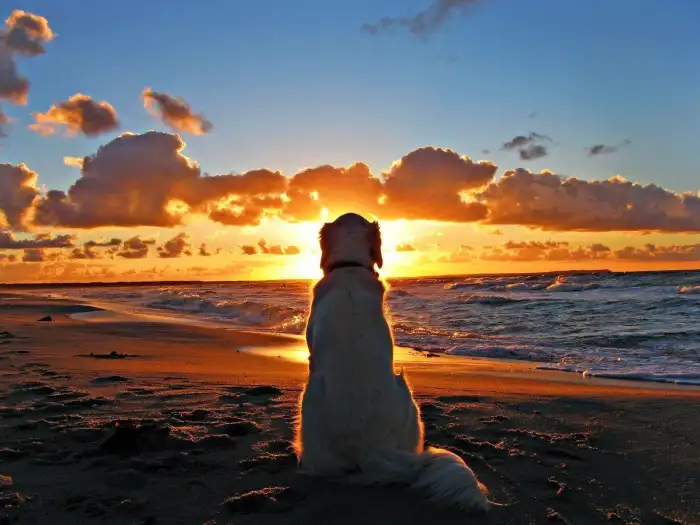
(552, 202)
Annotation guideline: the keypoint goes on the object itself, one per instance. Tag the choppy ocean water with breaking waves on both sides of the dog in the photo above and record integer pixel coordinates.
(643, 326)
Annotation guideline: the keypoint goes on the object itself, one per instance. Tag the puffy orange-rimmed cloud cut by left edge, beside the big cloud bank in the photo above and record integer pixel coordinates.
(18, 193)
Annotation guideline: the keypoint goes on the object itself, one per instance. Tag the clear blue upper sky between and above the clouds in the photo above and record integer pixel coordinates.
(292, 84)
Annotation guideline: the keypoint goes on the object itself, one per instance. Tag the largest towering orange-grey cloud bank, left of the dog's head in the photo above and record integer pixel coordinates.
(134, 180)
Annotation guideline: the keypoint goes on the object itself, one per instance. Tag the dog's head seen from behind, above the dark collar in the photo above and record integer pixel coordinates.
(351, 239)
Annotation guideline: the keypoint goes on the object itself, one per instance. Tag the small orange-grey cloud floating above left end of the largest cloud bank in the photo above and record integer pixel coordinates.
(80, 114)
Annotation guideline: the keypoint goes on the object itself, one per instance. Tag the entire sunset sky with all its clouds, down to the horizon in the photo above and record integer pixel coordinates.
(196, 122)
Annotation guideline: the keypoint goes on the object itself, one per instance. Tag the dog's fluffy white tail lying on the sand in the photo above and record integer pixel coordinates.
(439, 474)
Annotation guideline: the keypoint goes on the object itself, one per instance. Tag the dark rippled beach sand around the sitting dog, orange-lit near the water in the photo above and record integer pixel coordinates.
(118, 419)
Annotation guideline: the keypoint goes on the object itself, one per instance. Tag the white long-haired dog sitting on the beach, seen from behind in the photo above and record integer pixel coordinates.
(359, 422)
